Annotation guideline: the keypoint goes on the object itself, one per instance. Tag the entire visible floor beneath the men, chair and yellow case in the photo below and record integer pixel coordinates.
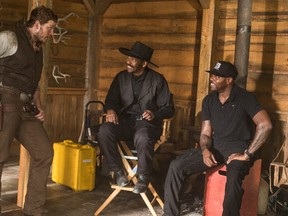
(63, 201)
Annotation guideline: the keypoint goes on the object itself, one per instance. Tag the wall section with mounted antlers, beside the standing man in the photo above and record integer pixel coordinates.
(66, 72)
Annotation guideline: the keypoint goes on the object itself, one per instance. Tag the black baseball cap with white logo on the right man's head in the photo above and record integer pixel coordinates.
(224, 69)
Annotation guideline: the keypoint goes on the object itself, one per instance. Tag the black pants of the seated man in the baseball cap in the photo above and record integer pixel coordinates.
(190, 163)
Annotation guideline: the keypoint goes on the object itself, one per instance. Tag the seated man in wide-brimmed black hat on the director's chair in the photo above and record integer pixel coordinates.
(136, 104)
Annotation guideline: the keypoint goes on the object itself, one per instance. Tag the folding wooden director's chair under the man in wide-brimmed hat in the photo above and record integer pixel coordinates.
(129, 158)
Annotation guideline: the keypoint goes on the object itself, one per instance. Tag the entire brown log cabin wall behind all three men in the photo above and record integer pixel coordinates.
(173, 29)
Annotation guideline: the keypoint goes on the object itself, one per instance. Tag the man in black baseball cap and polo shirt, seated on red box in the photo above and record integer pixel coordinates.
(228, 136)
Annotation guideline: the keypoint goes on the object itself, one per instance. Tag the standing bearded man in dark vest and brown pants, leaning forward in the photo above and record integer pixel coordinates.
(21, 61)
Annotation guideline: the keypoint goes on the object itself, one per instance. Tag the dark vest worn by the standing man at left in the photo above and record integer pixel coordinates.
(23, 69)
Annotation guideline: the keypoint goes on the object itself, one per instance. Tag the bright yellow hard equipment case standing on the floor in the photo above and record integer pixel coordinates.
(74, 165)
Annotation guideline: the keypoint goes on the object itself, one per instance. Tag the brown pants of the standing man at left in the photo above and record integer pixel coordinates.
(30, 133)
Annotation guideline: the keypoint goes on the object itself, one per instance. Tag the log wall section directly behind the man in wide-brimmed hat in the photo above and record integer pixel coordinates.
(173, 29)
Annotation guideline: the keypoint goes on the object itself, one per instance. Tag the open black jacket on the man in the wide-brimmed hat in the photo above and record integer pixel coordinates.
(155, 95)
